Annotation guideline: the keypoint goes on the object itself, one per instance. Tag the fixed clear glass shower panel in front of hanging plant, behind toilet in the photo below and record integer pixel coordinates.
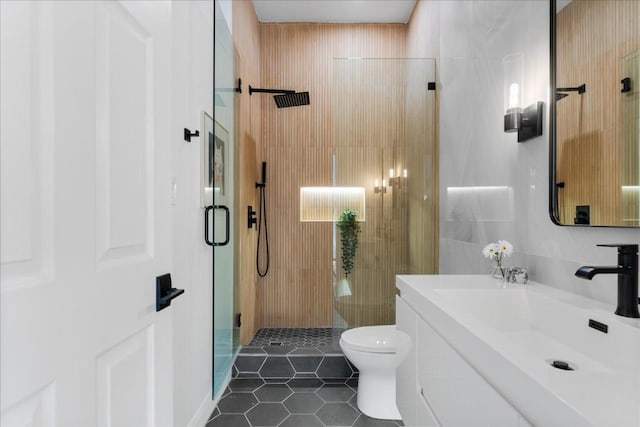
(385, 140)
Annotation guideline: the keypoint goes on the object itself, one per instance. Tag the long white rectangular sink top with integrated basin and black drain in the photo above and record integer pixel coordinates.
(512, 333)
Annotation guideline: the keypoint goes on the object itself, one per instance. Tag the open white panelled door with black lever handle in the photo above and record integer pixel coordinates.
(85, 213)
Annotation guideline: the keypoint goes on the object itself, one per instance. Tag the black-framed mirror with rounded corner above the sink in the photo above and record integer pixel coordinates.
(594, 154)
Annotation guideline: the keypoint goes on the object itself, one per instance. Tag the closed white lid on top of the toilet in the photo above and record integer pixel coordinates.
(375, 339)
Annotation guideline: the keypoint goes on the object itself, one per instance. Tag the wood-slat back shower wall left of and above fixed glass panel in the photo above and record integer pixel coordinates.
(297, 146)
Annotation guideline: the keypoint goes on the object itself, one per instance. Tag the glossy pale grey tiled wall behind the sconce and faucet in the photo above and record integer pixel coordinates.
(470, 38)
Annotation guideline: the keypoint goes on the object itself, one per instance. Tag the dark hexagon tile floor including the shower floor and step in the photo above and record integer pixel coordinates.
(293, 377)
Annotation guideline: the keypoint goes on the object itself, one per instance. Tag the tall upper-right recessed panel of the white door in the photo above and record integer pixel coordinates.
(124, 135)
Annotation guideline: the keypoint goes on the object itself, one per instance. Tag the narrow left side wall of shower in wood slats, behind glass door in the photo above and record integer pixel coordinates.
(247, 43)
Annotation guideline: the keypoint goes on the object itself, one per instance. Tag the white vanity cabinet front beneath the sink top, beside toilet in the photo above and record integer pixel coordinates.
(437, 387)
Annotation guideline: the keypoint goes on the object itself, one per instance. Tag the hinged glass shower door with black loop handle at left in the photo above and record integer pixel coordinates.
(220, 172)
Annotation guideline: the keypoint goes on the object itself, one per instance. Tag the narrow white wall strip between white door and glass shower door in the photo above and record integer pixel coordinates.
(192, 270)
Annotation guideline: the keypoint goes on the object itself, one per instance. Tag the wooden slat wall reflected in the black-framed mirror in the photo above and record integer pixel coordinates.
(589, 125)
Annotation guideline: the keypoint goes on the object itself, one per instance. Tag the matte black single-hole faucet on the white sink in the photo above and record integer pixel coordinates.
(627, 271)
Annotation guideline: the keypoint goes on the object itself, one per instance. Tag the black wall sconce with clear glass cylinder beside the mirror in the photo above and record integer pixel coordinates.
(528, 121)
